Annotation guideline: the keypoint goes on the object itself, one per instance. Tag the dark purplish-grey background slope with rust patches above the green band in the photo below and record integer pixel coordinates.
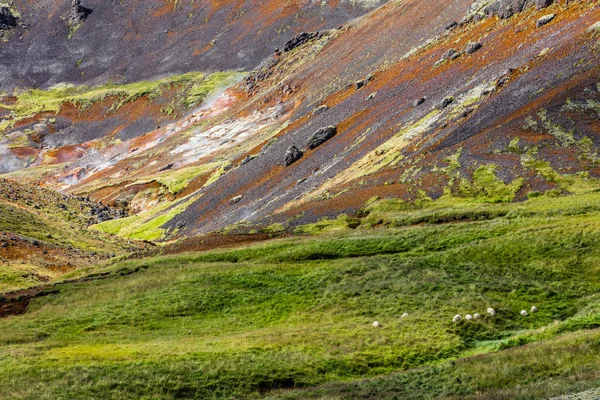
(125, 41)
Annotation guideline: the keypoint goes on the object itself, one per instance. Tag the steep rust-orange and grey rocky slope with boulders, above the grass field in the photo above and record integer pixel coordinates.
(495, 125)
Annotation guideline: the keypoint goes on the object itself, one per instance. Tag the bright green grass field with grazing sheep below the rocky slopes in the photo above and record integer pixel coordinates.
(292, 318)
